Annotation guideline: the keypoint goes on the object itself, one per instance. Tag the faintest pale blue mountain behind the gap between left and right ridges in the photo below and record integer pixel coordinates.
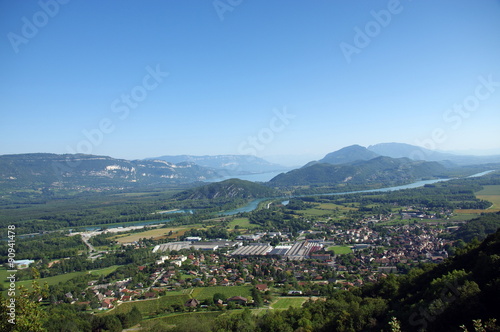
(227, 165)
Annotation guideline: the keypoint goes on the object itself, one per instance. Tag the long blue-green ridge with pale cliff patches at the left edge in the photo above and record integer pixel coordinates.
(47, 170)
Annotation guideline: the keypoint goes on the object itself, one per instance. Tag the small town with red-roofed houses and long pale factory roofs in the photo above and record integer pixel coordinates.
(325, 257)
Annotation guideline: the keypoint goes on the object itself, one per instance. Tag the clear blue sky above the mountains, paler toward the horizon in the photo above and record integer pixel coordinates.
(339, 73)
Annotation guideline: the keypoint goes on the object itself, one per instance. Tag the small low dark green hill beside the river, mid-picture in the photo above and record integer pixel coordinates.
(232, 188)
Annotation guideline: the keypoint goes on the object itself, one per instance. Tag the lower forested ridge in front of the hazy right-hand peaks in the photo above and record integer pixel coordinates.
(380, 170)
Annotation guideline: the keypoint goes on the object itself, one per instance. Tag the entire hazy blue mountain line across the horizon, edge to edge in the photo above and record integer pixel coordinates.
(388, 163)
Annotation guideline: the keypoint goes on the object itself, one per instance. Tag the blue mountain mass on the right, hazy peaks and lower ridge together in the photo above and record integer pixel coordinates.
(384, 164)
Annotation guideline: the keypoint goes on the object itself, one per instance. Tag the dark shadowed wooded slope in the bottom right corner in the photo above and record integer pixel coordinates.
(463, 288)
